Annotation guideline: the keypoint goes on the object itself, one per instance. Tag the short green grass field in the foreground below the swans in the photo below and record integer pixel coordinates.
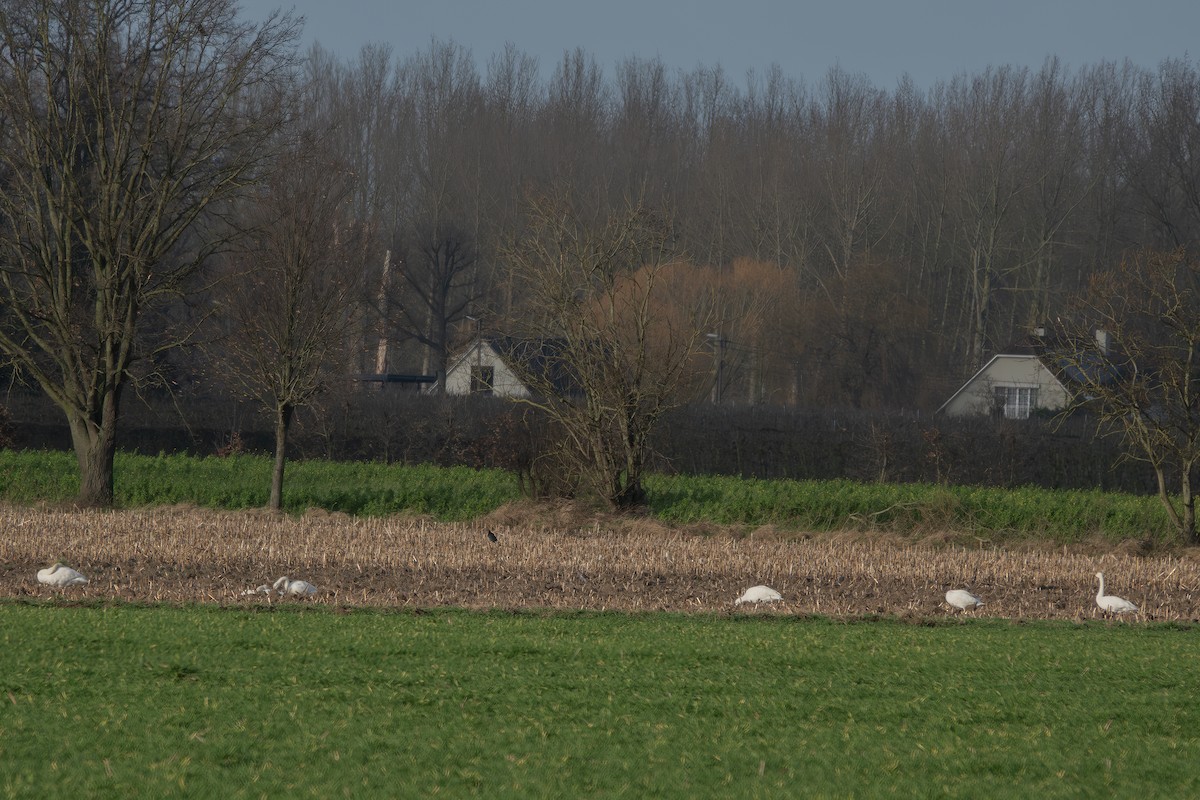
(128, 701)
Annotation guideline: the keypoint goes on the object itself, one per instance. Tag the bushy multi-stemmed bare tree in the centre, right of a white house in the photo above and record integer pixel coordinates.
(607, 356)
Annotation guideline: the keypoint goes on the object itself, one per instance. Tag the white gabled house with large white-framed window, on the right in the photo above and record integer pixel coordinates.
(1019, 381)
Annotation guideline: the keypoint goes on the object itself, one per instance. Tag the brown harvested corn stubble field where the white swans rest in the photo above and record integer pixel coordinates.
(188, 555)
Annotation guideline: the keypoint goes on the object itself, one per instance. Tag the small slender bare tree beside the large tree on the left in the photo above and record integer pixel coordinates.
(291, 300)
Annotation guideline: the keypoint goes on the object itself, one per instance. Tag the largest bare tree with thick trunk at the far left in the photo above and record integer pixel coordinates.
(125, 124)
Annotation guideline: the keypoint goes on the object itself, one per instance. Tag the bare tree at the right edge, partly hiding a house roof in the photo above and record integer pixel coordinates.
(1141, 372)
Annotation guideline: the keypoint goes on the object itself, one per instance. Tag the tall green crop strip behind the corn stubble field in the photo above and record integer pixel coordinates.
(460, 494)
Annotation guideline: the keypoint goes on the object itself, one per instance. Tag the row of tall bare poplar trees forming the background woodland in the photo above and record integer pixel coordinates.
(872, 245)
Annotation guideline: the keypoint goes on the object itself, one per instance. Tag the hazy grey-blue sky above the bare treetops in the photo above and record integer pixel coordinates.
(931, 40)
